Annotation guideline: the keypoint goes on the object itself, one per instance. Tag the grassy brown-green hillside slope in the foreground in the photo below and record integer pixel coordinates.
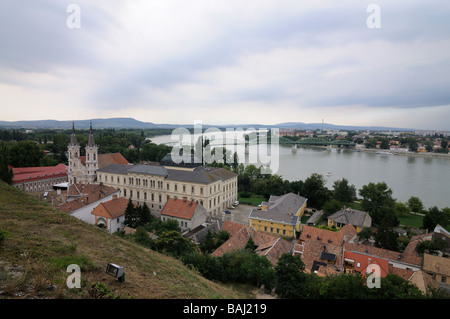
(43, 241)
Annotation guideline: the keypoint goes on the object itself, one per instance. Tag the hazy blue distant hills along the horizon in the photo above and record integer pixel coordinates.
(130, 123)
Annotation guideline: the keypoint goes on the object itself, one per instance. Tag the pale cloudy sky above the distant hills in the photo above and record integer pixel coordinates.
(357, 62)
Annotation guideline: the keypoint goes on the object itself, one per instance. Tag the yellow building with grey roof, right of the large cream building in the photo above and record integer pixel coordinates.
(280, 215)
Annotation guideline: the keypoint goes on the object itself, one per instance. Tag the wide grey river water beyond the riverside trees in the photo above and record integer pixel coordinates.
(425, 177)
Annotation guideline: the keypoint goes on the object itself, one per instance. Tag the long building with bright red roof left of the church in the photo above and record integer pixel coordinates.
(35, 179)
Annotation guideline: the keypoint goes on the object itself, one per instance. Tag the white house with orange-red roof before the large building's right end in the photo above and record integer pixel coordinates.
(189, 214)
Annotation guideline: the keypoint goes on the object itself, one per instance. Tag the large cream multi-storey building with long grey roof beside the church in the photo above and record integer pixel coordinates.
(214, 188)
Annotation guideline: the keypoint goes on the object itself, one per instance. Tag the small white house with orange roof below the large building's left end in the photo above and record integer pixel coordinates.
(111, 214)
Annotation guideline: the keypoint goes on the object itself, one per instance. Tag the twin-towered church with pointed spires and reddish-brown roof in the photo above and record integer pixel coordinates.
(83, 169)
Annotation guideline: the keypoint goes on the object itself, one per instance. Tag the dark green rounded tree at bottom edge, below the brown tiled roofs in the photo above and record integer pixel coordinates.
(290, 276)
